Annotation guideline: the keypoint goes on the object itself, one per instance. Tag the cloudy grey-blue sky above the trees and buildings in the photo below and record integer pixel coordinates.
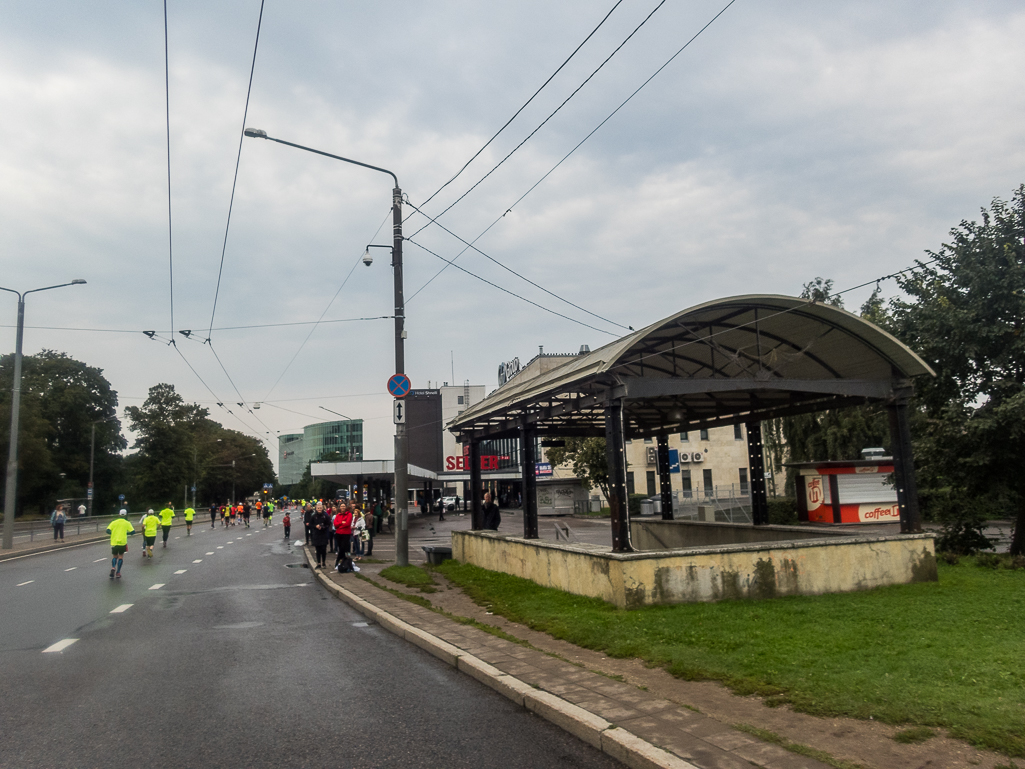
(789, 141)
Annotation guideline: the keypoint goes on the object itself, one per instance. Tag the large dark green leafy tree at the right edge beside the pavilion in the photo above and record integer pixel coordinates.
(966, 317)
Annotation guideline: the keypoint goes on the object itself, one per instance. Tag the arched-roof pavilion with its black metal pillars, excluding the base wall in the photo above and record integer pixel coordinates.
(736, 360)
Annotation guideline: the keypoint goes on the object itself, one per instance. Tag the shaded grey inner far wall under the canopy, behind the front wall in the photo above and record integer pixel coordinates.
(649, 535)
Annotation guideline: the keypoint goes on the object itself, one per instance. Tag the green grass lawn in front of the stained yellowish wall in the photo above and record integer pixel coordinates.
(948, 655)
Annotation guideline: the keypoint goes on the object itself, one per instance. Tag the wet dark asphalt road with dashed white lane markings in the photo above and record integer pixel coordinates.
(237, 662)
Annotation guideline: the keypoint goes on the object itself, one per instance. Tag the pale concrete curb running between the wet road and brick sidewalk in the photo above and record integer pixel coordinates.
(618, 743)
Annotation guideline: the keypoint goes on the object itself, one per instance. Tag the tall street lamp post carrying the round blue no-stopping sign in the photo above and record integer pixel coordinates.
(401, 438)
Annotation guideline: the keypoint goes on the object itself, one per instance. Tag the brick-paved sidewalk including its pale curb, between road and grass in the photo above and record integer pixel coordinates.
(637, 727)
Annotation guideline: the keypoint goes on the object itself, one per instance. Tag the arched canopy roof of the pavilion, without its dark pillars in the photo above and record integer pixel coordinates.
(728, 361)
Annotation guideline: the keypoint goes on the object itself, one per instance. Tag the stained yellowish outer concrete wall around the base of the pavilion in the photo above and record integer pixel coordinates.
(631, 581)
